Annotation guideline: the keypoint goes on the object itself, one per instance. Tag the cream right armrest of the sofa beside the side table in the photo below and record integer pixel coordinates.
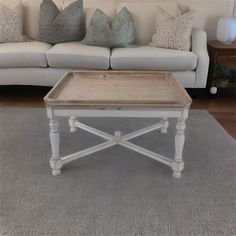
(199, 47)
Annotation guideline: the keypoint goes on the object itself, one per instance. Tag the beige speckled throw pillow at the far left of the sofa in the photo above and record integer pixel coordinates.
(11, 24)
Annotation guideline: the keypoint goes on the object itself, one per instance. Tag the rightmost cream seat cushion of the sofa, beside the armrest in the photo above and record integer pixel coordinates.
(152, 58)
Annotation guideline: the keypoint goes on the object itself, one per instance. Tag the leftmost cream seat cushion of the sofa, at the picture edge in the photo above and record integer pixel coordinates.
(23, 54)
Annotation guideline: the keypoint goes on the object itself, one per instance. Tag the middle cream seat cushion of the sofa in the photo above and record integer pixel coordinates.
(77, 55)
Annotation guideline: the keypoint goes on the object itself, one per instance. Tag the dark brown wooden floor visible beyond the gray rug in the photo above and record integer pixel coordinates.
(223, 108)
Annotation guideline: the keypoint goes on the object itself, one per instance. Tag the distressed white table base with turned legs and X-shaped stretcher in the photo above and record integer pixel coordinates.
(177, 164)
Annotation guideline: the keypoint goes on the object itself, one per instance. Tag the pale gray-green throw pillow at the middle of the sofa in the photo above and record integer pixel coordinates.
(112, 33)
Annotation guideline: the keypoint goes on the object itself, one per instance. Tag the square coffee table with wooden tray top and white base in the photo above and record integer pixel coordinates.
(118, 94)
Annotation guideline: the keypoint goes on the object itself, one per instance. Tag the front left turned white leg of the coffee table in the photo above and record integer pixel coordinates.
(55, 161)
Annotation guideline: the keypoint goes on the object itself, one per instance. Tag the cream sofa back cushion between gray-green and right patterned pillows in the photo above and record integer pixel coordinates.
(144, 16)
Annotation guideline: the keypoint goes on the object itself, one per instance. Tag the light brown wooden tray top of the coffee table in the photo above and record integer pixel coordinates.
(118, 89)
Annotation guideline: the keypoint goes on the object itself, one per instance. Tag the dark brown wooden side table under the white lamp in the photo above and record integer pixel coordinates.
(222, 71)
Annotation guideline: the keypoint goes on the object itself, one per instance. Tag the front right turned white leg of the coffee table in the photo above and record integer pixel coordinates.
(178, 164)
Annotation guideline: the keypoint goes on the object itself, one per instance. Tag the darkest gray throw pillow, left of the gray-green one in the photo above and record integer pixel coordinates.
(57, 26)
